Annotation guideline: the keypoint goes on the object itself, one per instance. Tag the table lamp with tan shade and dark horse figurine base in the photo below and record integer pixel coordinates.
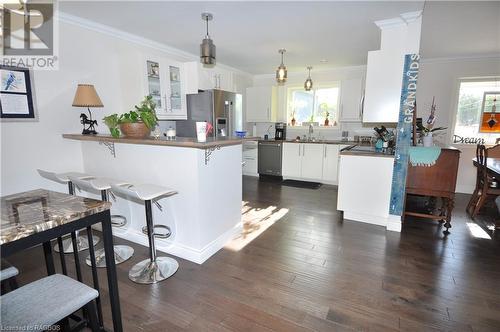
(86, 96)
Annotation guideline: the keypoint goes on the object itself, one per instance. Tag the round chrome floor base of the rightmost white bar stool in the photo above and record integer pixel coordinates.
(151, 272)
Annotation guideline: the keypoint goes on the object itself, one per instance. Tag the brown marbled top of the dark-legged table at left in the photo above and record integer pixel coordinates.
(38, 210)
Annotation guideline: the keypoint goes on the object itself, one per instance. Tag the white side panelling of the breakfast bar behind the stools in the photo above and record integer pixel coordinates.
(179, 168)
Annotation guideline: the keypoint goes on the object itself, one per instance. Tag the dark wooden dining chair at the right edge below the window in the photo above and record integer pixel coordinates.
(488, 185)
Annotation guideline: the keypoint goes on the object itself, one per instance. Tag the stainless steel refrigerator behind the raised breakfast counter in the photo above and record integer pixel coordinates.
(222, 109)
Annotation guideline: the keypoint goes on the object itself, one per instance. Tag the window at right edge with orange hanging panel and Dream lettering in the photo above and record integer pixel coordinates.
(476, 112)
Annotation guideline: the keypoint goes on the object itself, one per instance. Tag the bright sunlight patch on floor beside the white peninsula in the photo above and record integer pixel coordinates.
(255, 221)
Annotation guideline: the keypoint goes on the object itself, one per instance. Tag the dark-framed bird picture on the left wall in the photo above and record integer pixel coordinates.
(16, 97)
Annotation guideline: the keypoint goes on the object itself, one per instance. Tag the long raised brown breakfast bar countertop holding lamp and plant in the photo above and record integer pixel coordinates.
(185, 142)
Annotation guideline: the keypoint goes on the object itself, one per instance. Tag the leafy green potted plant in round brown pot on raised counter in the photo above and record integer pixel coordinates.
(137, 123)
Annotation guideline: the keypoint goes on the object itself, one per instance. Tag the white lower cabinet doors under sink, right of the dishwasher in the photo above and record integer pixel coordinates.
(311, 161)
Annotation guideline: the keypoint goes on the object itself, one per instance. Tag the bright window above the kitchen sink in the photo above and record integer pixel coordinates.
(313, 106)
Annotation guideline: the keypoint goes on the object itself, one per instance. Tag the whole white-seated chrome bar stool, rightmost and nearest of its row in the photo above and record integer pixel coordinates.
(154, 269)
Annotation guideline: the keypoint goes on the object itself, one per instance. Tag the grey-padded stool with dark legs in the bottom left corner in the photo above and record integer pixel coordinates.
(43, 303)
